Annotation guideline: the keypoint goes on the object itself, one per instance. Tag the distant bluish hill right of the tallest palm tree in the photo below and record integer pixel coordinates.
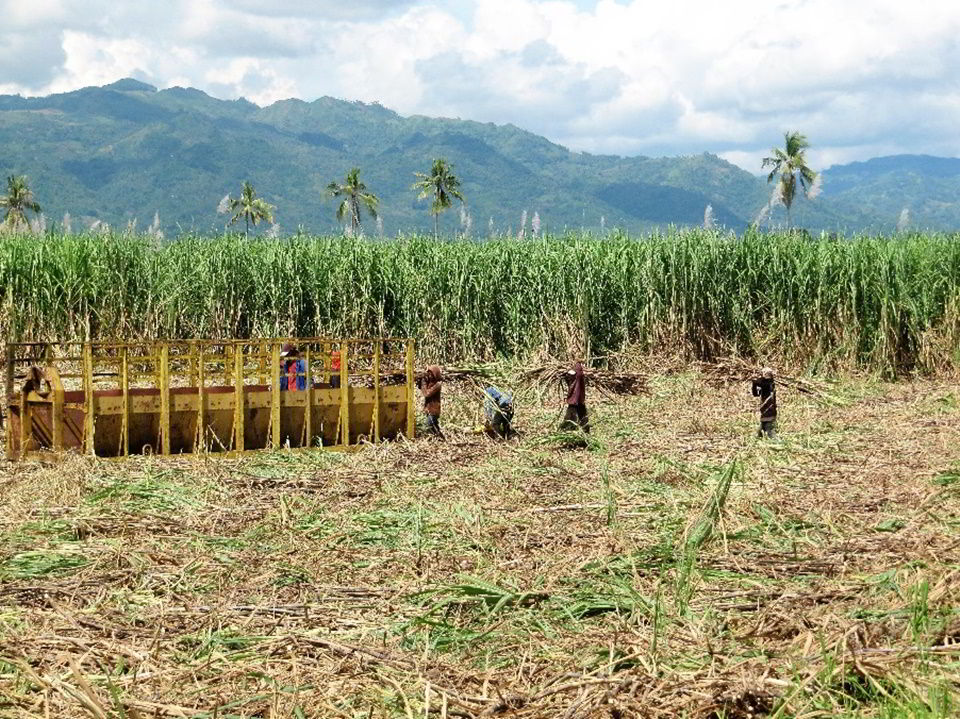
(881, 188)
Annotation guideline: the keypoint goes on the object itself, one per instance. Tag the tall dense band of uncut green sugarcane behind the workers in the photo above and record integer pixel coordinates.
(885, 305)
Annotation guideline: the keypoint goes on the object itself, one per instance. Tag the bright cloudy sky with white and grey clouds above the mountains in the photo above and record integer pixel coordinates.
(655, 77)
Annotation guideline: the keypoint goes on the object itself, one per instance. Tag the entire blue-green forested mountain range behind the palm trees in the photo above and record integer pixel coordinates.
(126, 152)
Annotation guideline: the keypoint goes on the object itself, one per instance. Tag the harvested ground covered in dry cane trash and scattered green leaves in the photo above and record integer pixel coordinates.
(673, 566)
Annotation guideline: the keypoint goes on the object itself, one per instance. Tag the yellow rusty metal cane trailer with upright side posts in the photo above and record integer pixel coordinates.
(118, 399)
